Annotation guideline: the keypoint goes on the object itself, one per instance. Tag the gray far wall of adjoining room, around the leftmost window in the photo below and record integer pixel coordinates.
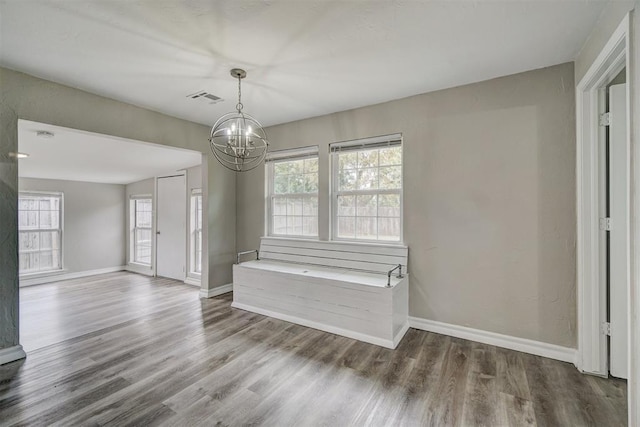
(94, 222)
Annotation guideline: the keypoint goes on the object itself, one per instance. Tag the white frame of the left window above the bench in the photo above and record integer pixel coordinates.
(280, 156)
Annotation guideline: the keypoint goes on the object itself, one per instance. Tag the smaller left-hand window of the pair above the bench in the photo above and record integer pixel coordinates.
(292, 205)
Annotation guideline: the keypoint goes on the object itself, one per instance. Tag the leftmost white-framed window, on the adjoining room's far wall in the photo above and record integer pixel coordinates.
(40, 232)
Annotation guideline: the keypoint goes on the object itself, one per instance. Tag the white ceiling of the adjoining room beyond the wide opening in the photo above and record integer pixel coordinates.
(83, 156)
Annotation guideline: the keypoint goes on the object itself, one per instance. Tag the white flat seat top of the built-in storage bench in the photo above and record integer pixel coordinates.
(338, 274)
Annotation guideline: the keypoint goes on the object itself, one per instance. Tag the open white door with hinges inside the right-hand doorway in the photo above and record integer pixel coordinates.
(619, 234)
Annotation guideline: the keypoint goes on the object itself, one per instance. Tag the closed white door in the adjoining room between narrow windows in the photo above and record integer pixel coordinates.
(171, 231)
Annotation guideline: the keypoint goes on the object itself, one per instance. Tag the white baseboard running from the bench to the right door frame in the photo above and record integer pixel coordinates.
(524, 345)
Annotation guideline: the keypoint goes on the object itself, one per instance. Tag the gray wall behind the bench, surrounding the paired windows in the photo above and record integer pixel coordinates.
(489, 199)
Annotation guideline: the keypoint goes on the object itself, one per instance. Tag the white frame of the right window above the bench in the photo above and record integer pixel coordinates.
(356, 146)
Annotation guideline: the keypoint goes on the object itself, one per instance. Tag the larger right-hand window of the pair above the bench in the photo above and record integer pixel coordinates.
(367, 189)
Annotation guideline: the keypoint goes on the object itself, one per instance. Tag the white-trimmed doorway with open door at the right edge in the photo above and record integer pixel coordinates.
(604, 243)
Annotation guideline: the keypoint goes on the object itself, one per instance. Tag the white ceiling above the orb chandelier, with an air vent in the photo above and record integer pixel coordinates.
(304, 58)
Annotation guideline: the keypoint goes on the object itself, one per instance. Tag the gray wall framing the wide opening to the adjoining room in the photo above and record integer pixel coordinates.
(27, 97)
